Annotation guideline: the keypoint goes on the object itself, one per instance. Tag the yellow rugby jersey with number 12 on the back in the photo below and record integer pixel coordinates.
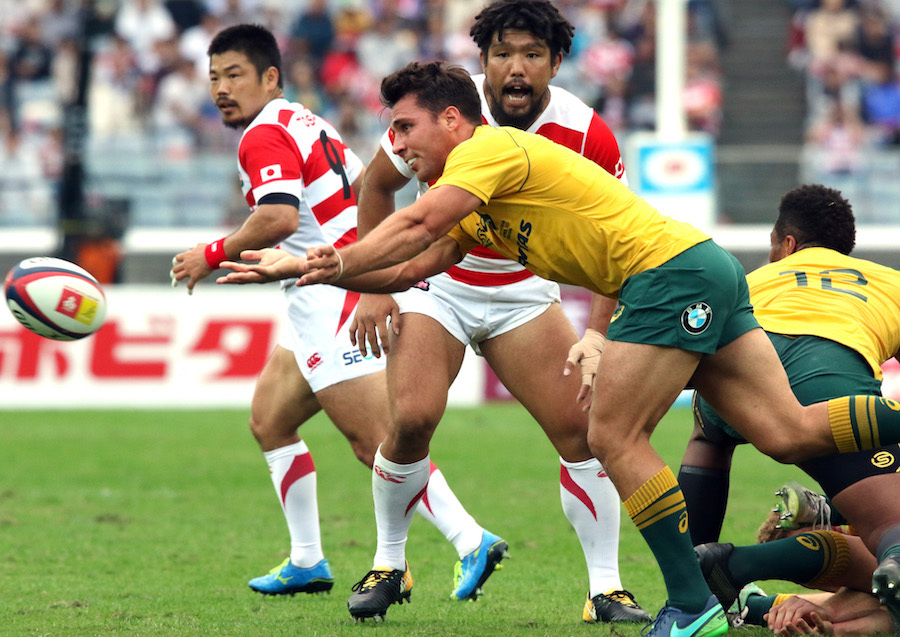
(821, 292)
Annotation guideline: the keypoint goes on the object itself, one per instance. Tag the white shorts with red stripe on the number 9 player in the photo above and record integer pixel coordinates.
(317, 333)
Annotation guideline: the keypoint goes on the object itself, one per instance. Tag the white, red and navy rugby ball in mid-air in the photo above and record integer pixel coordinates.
(55, 298)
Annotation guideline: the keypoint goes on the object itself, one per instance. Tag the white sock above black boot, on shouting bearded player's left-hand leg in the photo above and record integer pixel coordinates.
(396, 490)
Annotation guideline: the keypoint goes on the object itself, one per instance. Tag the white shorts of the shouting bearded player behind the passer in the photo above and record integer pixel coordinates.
(471, 313)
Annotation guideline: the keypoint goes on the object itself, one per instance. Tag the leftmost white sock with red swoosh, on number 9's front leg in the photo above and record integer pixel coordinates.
(294, 477)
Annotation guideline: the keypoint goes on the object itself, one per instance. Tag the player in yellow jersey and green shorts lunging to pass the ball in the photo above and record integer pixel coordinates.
(683, 312)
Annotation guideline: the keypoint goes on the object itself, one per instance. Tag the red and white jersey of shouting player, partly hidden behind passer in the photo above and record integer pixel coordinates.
(567, 121)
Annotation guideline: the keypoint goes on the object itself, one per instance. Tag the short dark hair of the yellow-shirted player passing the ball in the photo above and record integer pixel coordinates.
(436, 86)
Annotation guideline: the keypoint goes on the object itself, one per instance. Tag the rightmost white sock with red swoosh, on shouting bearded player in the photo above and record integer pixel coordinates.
(592, 506)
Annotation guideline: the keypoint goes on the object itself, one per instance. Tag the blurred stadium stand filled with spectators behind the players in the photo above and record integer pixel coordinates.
(787, 87)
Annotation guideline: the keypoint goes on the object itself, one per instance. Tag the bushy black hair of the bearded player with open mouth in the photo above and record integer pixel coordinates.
(538, 17)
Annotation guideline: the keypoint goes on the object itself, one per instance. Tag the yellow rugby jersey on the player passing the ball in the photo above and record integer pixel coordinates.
(557, 213)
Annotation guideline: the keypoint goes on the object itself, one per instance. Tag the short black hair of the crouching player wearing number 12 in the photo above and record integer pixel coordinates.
(816, 215)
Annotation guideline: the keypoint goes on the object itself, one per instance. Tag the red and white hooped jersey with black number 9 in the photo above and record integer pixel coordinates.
(290, 151)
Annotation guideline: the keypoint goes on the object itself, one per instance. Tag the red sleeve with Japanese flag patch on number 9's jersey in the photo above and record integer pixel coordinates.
(269, 158)
